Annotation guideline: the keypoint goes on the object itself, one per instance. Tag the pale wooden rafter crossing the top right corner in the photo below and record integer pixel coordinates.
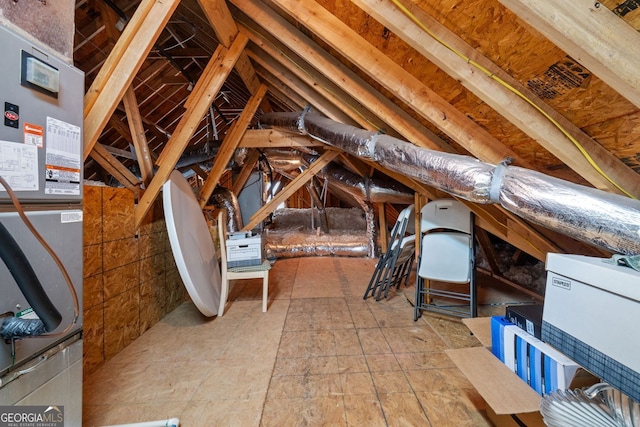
(592, 35)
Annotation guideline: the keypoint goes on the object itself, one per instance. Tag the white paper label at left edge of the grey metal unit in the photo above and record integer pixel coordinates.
(19, 166)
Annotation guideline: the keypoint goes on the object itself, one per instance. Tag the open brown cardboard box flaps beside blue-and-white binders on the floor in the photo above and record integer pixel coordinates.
(510, 401)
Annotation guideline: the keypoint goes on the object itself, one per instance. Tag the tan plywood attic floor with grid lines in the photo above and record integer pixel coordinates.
(321, 355)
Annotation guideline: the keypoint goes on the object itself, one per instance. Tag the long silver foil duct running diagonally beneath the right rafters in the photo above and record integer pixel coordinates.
(593, 216)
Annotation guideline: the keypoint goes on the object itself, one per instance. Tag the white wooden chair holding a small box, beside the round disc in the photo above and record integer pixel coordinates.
(236, 273)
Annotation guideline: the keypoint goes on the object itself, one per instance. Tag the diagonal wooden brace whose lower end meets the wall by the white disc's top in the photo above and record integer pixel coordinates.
(207, 87)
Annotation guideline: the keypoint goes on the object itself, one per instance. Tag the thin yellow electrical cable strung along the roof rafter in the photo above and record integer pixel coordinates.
(480, 67)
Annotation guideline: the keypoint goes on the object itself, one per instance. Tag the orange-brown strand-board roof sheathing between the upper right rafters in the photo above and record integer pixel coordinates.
(530, 58)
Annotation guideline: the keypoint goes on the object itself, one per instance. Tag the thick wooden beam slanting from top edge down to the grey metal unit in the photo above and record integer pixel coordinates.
(122, 65)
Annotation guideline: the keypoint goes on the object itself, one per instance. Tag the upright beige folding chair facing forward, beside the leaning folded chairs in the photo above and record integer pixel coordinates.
(446, 255)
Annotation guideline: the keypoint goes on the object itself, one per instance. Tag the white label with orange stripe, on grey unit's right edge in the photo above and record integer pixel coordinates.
(63, 158)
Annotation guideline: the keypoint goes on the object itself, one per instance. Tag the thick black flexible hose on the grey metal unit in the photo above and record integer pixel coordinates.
(27, 281)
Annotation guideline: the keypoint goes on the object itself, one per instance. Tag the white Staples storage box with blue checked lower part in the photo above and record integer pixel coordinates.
(591, 313)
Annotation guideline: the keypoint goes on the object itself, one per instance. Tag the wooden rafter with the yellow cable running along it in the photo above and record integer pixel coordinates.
(500, 91)
